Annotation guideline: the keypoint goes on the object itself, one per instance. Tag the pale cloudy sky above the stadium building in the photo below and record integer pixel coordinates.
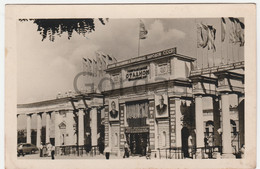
(47, 68)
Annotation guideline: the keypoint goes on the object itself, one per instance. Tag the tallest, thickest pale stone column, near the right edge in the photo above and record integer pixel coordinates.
(226, 129)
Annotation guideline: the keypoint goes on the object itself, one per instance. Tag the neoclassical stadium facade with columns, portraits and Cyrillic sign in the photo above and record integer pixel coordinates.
(155, 101)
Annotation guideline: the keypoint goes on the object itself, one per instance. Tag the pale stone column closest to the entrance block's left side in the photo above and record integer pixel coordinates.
(94, 126)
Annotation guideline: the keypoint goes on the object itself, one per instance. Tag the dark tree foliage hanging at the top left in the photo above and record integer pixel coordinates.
(49, 28)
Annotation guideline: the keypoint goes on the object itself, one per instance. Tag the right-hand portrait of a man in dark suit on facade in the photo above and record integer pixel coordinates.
(161, 106)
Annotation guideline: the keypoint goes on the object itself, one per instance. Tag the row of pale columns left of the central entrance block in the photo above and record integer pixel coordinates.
(69, 126)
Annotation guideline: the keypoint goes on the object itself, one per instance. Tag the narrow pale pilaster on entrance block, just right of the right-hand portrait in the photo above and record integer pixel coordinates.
(178, 122)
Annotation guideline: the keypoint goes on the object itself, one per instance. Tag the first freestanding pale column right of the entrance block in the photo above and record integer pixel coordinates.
(199, 121)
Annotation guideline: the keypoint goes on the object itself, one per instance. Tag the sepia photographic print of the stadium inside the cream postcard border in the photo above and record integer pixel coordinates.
(130, 88)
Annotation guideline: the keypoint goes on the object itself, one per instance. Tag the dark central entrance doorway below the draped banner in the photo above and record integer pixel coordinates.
(138, 143)
